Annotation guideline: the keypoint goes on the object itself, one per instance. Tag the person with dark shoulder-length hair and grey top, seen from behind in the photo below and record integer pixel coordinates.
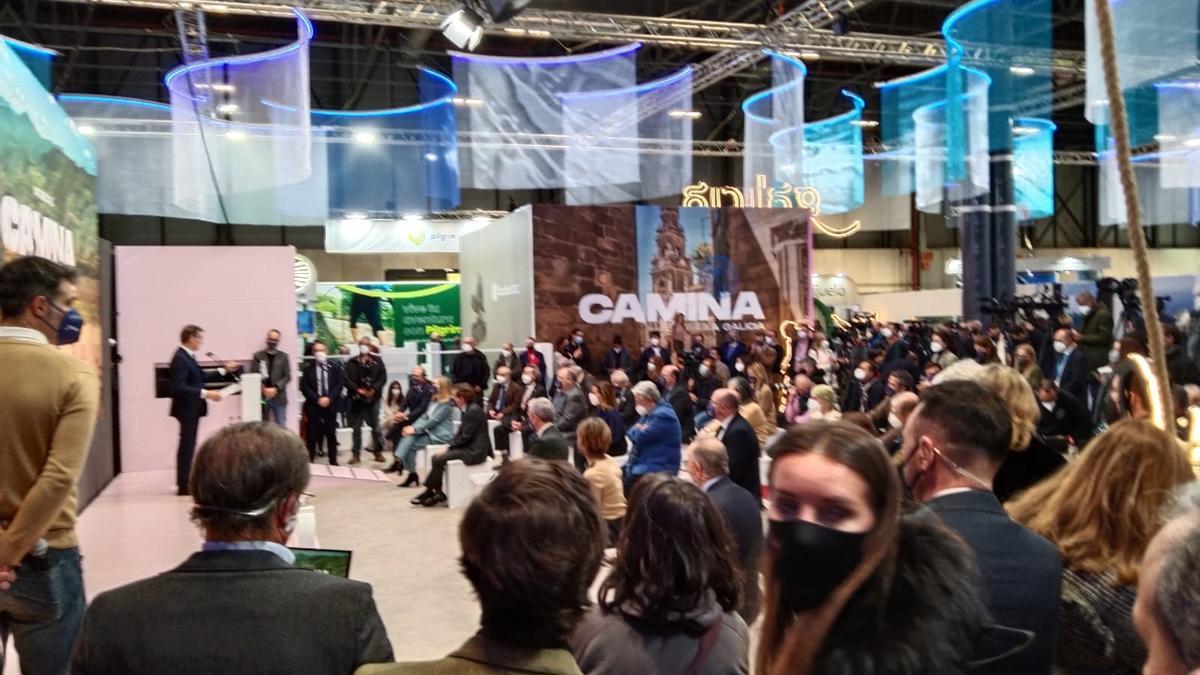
(670, 604)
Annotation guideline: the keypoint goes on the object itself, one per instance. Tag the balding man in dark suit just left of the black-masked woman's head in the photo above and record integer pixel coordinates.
(710, 469)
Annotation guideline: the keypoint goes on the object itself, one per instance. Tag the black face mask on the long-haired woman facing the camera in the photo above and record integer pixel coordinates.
(813, 561)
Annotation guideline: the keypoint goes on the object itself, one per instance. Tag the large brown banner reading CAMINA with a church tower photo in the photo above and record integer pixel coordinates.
(632, 271)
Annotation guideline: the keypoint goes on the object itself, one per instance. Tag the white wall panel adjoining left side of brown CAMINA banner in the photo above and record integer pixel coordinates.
(497, 280)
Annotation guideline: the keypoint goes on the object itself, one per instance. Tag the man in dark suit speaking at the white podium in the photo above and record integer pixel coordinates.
(190, 399)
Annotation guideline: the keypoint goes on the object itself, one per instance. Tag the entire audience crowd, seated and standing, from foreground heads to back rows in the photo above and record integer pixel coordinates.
(923, 513)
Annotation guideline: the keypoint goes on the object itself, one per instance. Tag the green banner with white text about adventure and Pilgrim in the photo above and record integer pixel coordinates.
(393, 313)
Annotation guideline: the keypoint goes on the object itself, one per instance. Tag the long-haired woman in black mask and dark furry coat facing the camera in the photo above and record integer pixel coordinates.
(843, 559)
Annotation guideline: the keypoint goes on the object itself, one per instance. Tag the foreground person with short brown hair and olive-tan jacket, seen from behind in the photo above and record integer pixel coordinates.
(532, 595)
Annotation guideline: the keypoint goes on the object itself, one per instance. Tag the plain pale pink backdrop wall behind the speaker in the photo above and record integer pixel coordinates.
(236, 294)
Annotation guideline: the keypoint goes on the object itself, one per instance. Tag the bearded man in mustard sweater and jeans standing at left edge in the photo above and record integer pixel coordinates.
(49, 405)
